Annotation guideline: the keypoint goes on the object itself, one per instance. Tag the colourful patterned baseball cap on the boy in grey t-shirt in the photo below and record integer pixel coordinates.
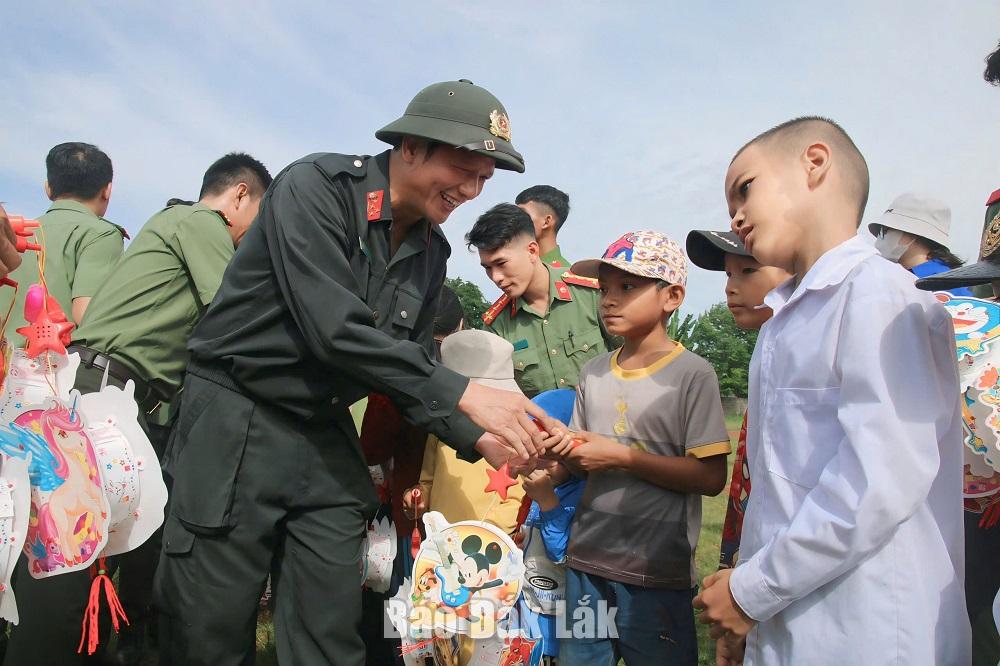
(644, 253)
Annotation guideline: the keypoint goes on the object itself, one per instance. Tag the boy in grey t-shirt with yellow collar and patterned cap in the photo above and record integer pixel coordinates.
(651, 439)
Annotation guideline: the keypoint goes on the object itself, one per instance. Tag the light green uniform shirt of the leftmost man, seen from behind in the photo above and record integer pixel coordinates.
(80, 251)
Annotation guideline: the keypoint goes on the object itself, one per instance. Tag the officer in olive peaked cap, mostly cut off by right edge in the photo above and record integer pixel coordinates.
(982, 539)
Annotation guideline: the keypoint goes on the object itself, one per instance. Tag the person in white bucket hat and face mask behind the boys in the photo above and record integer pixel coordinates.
(913, 232)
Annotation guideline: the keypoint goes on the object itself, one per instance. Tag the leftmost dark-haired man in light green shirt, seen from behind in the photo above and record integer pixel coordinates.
(81, 246)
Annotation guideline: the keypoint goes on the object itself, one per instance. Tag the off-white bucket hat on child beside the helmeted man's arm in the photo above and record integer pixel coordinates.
(483, 357)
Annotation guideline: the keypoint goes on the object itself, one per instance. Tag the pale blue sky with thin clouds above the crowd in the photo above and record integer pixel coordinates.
(633, 108)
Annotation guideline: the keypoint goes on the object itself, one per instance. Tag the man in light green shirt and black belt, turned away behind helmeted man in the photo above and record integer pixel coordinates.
(137, 327)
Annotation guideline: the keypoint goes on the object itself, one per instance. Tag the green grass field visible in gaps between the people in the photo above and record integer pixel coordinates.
(706, 559)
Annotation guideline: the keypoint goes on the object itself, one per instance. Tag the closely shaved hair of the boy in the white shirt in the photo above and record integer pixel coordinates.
(794, 135)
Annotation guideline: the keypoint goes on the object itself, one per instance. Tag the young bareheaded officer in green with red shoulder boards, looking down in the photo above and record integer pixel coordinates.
(549, 314)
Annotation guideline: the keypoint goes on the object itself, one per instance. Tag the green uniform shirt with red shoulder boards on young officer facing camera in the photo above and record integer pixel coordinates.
(550, 347)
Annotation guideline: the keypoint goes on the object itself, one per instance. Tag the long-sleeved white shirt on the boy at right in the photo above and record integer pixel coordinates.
(852, 548)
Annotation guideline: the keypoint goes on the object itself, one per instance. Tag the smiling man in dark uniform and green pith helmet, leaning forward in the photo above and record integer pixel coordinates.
(331, 296)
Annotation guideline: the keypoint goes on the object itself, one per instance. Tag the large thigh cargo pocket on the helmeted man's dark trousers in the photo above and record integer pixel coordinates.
(207, 463)
